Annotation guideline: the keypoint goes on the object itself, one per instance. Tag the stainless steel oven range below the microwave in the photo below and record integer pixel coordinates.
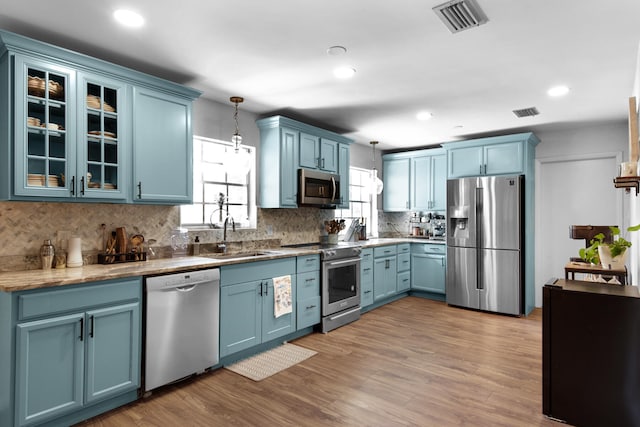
(340, 277)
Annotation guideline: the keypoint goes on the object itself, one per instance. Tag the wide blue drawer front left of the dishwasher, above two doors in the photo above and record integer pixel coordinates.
(77, 298)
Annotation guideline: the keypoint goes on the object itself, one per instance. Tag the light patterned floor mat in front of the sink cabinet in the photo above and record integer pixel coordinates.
(271, 362)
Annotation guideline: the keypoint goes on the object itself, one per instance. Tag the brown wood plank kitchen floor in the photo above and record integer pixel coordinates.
(412, 362)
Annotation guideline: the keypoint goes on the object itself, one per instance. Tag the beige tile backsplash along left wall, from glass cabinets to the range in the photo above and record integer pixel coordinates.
(25, 225)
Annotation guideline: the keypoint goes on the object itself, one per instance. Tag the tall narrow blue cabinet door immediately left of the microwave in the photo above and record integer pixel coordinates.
(288, 168)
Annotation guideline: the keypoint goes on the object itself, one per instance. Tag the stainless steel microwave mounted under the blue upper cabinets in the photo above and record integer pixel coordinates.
(317, 188)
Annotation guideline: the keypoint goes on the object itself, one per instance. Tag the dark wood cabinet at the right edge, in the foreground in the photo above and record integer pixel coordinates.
(591, 353)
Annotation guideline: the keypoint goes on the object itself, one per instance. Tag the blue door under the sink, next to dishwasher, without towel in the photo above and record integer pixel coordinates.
(240, 317)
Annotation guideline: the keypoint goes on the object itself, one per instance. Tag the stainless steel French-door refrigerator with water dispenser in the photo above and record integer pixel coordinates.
(485, 263)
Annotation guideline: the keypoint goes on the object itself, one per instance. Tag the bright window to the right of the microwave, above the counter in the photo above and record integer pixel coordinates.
(361, 203)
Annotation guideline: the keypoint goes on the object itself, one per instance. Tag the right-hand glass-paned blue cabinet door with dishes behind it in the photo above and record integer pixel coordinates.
(102, 140)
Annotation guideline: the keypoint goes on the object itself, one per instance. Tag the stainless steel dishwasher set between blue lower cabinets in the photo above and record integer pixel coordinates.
(182, 325)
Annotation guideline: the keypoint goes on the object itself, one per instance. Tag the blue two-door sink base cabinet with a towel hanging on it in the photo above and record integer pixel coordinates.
(247, 315)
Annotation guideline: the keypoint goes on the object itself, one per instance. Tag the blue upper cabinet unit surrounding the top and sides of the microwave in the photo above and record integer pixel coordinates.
(287, 145)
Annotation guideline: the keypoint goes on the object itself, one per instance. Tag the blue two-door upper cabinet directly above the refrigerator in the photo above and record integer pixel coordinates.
(510, 154)
